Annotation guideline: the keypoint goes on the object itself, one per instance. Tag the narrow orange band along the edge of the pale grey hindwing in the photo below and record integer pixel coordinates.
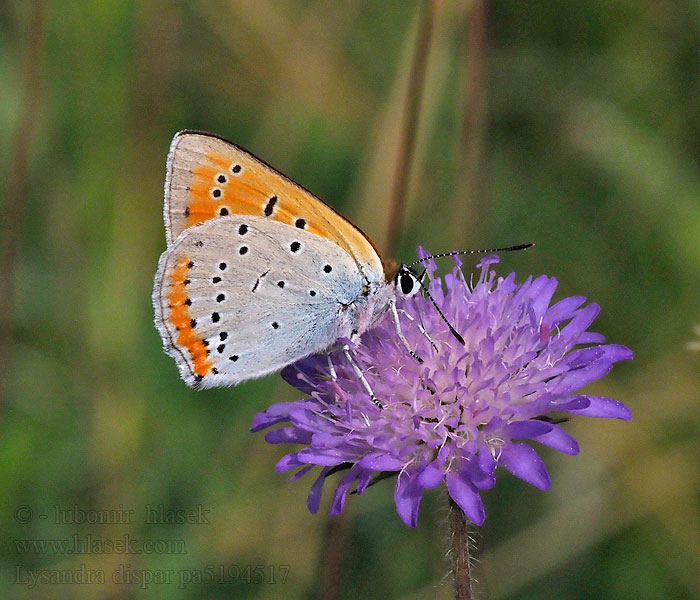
(181, 320)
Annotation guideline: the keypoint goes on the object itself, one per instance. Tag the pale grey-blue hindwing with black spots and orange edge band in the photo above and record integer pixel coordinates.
(238, 297)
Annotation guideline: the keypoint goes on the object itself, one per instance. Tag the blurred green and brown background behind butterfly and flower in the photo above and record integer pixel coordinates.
(575, 125)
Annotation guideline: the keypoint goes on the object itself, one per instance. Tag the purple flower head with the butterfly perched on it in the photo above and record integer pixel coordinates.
(463, 411)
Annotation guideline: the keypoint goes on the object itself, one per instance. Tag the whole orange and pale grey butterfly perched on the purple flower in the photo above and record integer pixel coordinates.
(258, 272)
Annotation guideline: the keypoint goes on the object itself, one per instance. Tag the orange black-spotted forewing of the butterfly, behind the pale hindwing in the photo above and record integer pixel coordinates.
(209, 177)
